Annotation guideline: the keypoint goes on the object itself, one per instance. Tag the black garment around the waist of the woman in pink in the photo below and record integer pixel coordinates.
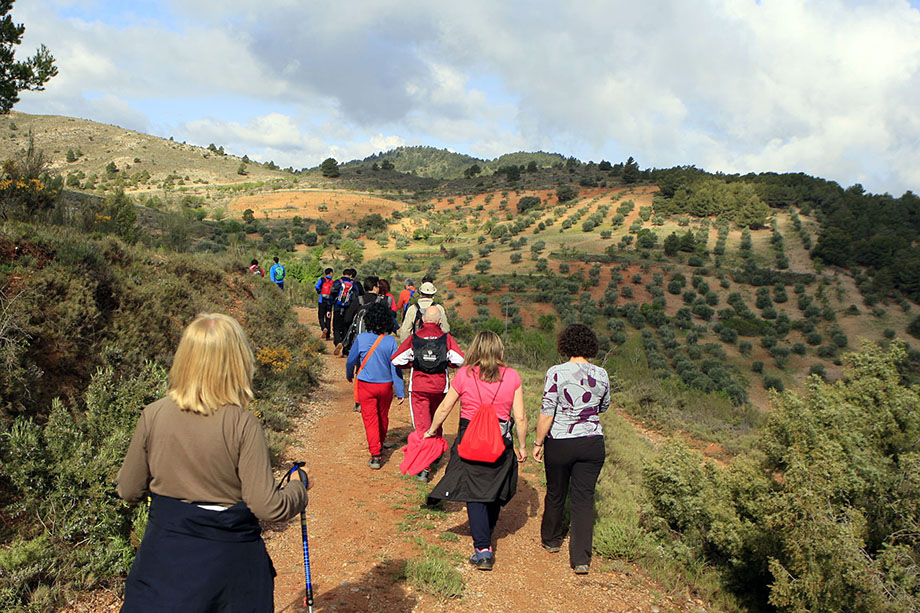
(467, 481)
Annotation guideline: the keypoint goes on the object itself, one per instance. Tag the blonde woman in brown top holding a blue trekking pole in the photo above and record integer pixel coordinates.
(202, 459)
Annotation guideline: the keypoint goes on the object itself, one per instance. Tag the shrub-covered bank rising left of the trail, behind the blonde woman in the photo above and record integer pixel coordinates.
(89, 324)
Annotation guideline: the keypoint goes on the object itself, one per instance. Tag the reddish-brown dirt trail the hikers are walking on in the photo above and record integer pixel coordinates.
(364, 524)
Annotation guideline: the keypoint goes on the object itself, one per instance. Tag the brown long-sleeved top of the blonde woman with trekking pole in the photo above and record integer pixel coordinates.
(219, 459)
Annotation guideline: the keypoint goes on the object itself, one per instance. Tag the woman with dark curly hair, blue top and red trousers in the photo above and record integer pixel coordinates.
(369, 362)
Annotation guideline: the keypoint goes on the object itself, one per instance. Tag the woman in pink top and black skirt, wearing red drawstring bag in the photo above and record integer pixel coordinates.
(485, 487)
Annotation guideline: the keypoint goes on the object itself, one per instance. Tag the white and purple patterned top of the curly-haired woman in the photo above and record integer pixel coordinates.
(575, 395)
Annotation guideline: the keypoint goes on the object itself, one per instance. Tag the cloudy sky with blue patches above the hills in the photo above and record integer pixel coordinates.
(826, 87)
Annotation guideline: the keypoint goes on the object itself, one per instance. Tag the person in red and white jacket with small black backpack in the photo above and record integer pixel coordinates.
(428, 353)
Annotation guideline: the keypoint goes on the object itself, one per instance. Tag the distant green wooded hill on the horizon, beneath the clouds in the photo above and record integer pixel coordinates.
(434, 163)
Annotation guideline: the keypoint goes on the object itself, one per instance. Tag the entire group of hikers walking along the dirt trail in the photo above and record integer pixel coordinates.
(202, 459)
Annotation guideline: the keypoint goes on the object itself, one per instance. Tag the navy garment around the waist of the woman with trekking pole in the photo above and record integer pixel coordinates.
(196, 560)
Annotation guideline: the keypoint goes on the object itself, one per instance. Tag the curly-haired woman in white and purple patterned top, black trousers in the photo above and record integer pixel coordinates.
(575, 393)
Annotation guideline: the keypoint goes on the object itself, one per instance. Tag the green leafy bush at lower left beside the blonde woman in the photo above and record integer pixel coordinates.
(64, 473)
